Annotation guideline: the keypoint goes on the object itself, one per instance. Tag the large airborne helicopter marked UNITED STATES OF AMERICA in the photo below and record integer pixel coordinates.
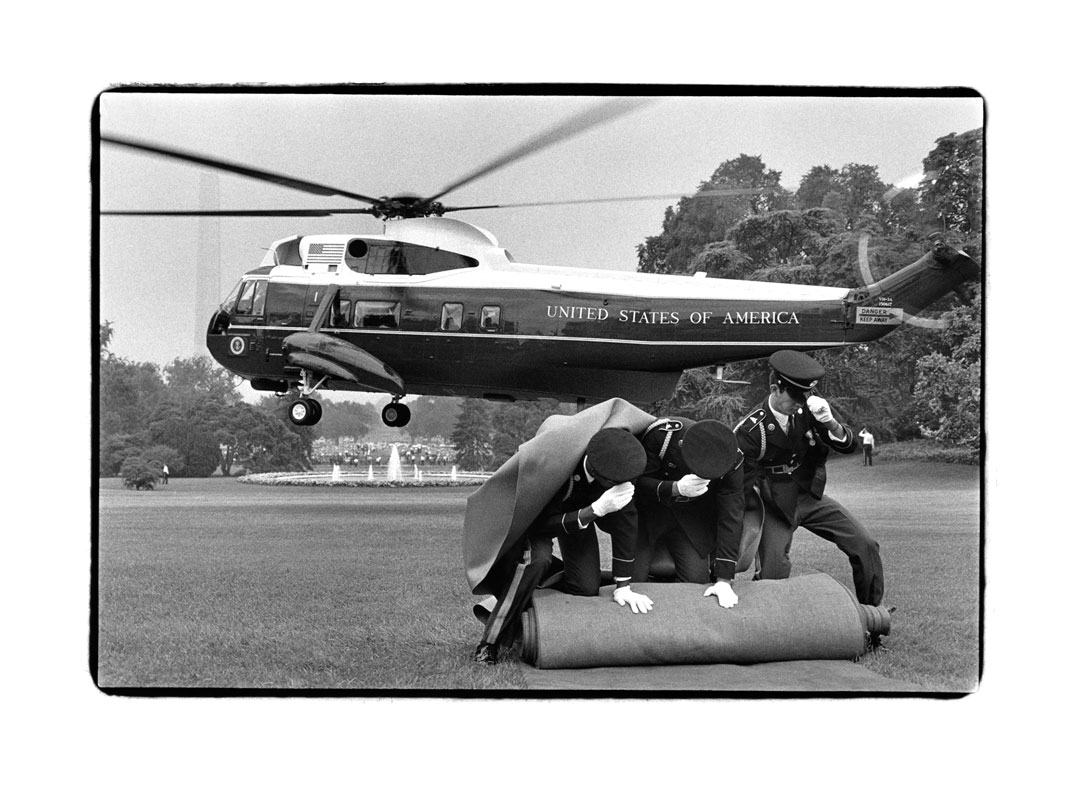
(436, 306)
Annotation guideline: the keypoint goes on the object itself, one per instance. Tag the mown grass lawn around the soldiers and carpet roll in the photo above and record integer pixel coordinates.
(210, 583)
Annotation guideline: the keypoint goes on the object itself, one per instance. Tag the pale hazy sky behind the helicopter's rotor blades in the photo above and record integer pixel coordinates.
(413, 142)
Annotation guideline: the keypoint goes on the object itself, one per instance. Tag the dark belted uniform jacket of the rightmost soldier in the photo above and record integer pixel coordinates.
(785, 465)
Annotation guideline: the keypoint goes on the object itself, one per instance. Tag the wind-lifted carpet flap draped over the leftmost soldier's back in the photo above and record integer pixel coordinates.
(499, 513)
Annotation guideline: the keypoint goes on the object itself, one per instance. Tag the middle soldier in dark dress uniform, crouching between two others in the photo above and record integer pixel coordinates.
(691, 500)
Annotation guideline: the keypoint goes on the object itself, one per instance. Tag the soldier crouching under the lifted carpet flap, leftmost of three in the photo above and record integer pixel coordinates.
(599, 494)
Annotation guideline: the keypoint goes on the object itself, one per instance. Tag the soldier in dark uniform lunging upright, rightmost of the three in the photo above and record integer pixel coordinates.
(786, 442)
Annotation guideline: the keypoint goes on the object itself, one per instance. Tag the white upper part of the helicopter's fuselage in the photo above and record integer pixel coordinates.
(497, 270)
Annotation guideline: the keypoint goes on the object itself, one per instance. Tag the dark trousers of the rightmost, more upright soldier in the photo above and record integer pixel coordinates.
(831, 521)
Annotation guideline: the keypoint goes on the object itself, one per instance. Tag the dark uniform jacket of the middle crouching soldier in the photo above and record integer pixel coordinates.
(713, 522)
